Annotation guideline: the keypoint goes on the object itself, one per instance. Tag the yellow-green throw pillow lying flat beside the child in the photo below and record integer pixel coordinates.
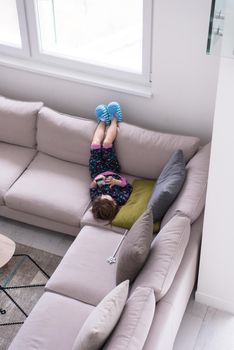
(136, 204)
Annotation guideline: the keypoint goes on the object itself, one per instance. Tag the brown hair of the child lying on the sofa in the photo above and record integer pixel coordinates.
(104, 209)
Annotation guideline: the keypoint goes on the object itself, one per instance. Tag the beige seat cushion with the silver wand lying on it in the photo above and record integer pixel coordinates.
(84, 272)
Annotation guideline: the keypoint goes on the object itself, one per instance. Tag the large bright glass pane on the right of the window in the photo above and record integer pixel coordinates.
(93, 31)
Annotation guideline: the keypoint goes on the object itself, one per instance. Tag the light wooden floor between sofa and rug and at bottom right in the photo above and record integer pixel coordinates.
(202, 328)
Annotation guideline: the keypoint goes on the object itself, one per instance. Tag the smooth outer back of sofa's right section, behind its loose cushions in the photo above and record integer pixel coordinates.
(170, 309)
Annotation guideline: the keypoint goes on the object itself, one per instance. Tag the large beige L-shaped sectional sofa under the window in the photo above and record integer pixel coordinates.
(45, 182)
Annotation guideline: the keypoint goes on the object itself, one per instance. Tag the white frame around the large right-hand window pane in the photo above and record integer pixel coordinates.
(31, 48)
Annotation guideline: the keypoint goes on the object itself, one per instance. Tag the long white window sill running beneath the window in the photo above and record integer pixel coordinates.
(78, 77)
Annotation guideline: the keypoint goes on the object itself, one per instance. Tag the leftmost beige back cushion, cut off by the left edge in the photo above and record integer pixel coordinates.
(18, 121)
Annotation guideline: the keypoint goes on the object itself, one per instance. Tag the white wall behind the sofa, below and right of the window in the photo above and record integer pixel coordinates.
(184, 77)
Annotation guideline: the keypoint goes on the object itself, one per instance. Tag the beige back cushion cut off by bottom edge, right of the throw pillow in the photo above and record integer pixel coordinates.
(134, 324)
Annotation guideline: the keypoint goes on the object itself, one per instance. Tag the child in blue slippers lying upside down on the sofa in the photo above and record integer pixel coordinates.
(108, 190)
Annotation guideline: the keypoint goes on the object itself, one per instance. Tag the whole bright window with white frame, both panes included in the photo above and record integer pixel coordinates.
(107, 37)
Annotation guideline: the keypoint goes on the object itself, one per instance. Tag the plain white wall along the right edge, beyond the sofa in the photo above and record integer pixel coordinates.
(216, 282)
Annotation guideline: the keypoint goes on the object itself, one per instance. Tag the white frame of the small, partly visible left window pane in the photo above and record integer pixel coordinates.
(23, 51)
